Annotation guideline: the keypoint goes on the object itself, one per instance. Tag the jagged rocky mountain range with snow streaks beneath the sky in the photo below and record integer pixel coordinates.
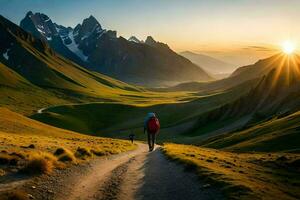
(133, 61)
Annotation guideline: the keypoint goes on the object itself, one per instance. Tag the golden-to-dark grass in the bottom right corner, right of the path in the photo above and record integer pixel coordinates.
(243, 175)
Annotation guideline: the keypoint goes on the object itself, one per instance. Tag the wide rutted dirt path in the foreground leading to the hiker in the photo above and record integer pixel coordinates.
(134, 175)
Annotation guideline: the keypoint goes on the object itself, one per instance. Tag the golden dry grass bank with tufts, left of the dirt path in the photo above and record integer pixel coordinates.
(35, 148)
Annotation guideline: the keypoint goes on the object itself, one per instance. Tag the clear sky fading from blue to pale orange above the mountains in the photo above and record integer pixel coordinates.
(238, 31)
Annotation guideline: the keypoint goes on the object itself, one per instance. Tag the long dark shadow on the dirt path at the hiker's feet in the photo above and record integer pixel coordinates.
(167, 180)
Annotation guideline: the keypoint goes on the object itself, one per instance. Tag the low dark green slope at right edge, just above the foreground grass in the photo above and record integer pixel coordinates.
(278, 134)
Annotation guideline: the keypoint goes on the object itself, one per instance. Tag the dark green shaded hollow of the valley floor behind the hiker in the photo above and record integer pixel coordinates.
(110, 119)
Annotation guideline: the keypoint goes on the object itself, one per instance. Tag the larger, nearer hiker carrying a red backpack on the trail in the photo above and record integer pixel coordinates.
(152, 127)
